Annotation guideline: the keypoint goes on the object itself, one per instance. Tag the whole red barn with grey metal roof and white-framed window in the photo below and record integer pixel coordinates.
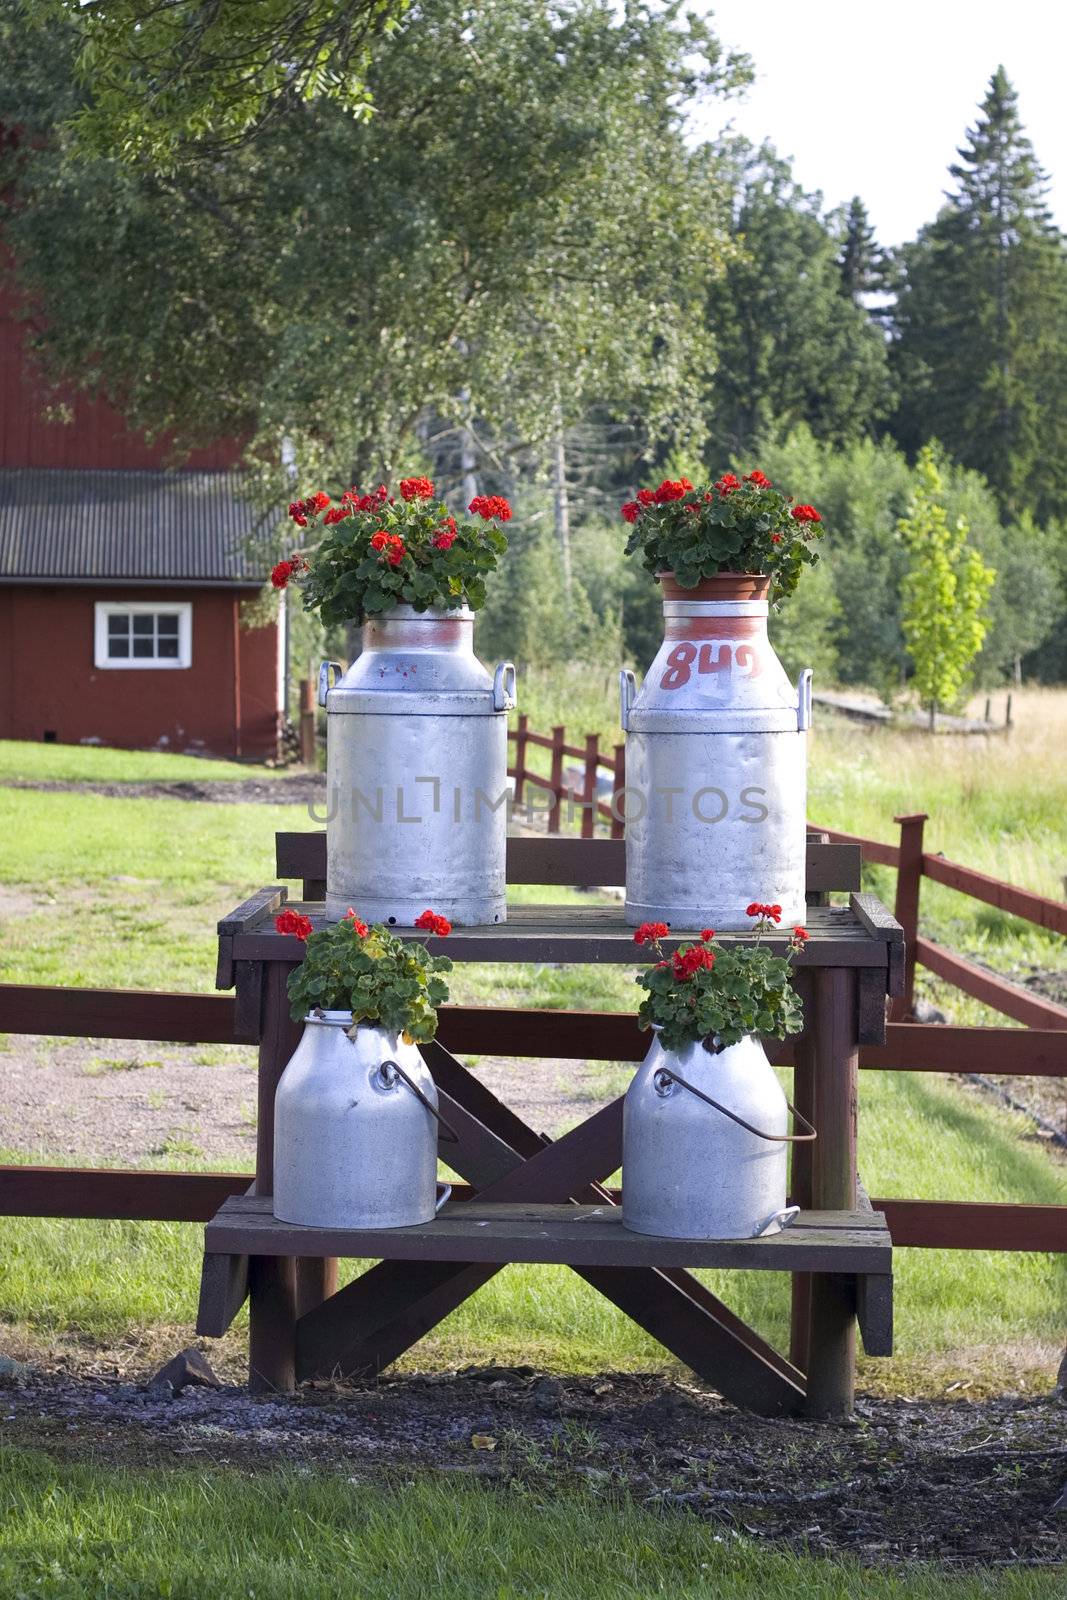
(124, 586)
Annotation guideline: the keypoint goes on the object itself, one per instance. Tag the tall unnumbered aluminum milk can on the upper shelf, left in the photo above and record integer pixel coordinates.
(417, 774)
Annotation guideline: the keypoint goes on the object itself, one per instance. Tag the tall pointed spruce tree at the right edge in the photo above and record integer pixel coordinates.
(981, 319)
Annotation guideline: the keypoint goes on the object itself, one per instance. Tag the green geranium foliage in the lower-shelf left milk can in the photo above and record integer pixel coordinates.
(374, 975)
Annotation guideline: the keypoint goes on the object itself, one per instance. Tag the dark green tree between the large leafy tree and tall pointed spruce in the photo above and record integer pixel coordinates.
(789, 346)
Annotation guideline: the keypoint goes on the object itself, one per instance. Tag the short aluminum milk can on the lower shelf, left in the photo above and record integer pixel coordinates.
(356, 1129)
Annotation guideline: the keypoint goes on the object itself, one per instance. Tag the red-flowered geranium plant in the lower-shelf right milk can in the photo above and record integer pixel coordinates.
(719, 996)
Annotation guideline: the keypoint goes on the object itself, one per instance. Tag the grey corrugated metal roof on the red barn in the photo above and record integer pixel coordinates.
(127, 526)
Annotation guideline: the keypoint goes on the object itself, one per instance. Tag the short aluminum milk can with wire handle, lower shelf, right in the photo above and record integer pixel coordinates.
(705, 1138)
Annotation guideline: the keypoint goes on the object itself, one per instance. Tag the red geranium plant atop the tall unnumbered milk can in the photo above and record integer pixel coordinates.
(372, 553)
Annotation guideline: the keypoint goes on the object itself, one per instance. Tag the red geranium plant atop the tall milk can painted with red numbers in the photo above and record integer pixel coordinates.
(733, 526)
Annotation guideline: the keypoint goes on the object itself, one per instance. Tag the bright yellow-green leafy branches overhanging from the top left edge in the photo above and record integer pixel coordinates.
(196, 71)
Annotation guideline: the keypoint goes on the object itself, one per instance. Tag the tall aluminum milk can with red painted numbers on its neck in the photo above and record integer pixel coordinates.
(716, 766)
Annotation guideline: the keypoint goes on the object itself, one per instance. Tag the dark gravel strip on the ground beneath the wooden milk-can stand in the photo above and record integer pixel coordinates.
(962, 1484)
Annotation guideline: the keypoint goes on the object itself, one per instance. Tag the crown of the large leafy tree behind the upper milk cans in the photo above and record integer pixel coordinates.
(519, 218)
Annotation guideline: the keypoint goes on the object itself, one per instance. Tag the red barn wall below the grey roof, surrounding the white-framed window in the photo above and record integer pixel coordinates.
(50, 684)
